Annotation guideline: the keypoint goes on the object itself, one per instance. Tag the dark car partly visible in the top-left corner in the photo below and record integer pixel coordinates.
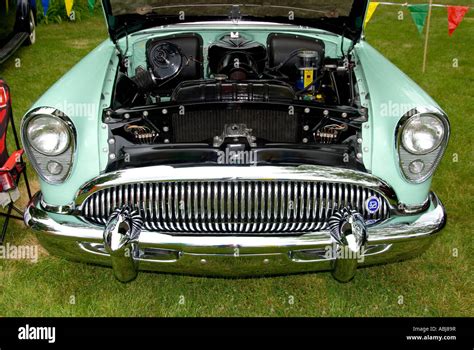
(17, 26)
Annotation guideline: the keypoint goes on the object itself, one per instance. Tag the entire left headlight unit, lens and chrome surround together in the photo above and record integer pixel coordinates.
(49, 139)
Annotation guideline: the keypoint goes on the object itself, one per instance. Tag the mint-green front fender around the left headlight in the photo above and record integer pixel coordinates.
(80, 94)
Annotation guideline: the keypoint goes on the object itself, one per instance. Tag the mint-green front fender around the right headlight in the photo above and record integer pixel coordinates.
(391, 94)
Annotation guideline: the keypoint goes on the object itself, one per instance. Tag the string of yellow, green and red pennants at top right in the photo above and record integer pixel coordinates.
(419, 13)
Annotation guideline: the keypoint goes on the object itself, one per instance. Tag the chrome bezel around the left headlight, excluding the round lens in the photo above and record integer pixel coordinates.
(40, 160)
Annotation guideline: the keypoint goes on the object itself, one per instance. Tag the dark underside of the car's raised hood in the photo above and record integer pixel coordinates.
(343, 17)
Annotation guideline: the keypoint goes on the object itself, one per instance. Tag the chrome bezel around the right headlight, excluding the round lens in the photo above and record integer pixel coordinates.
(429, 159)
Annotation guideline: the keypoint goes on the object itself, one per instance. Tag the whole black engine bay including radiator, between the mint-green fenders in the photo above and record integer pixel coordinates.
(238, 94)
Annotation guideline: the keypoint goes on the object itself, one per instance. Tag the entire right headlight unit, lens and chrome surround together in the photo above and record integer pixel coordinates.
(422, 137)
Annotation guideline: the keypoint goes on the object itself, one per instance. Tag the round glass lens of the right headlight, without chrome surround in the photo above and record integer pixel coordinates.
(422, 134)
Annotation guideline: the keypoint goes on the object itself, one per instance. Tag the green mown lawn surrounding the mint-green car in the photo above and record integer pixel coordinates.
(435, 284)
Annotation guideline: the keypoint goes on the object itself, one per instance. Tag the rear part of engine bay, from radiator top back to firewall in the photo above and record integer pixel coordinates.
(288, 67)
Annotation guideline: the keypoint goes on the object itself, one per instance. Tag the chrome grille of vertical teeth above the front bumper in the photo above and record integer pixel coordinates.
(260, 206)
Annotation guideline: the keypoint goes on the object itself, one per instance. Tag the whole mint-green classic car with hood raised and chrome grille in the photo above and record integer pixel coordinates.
(235, 140)
